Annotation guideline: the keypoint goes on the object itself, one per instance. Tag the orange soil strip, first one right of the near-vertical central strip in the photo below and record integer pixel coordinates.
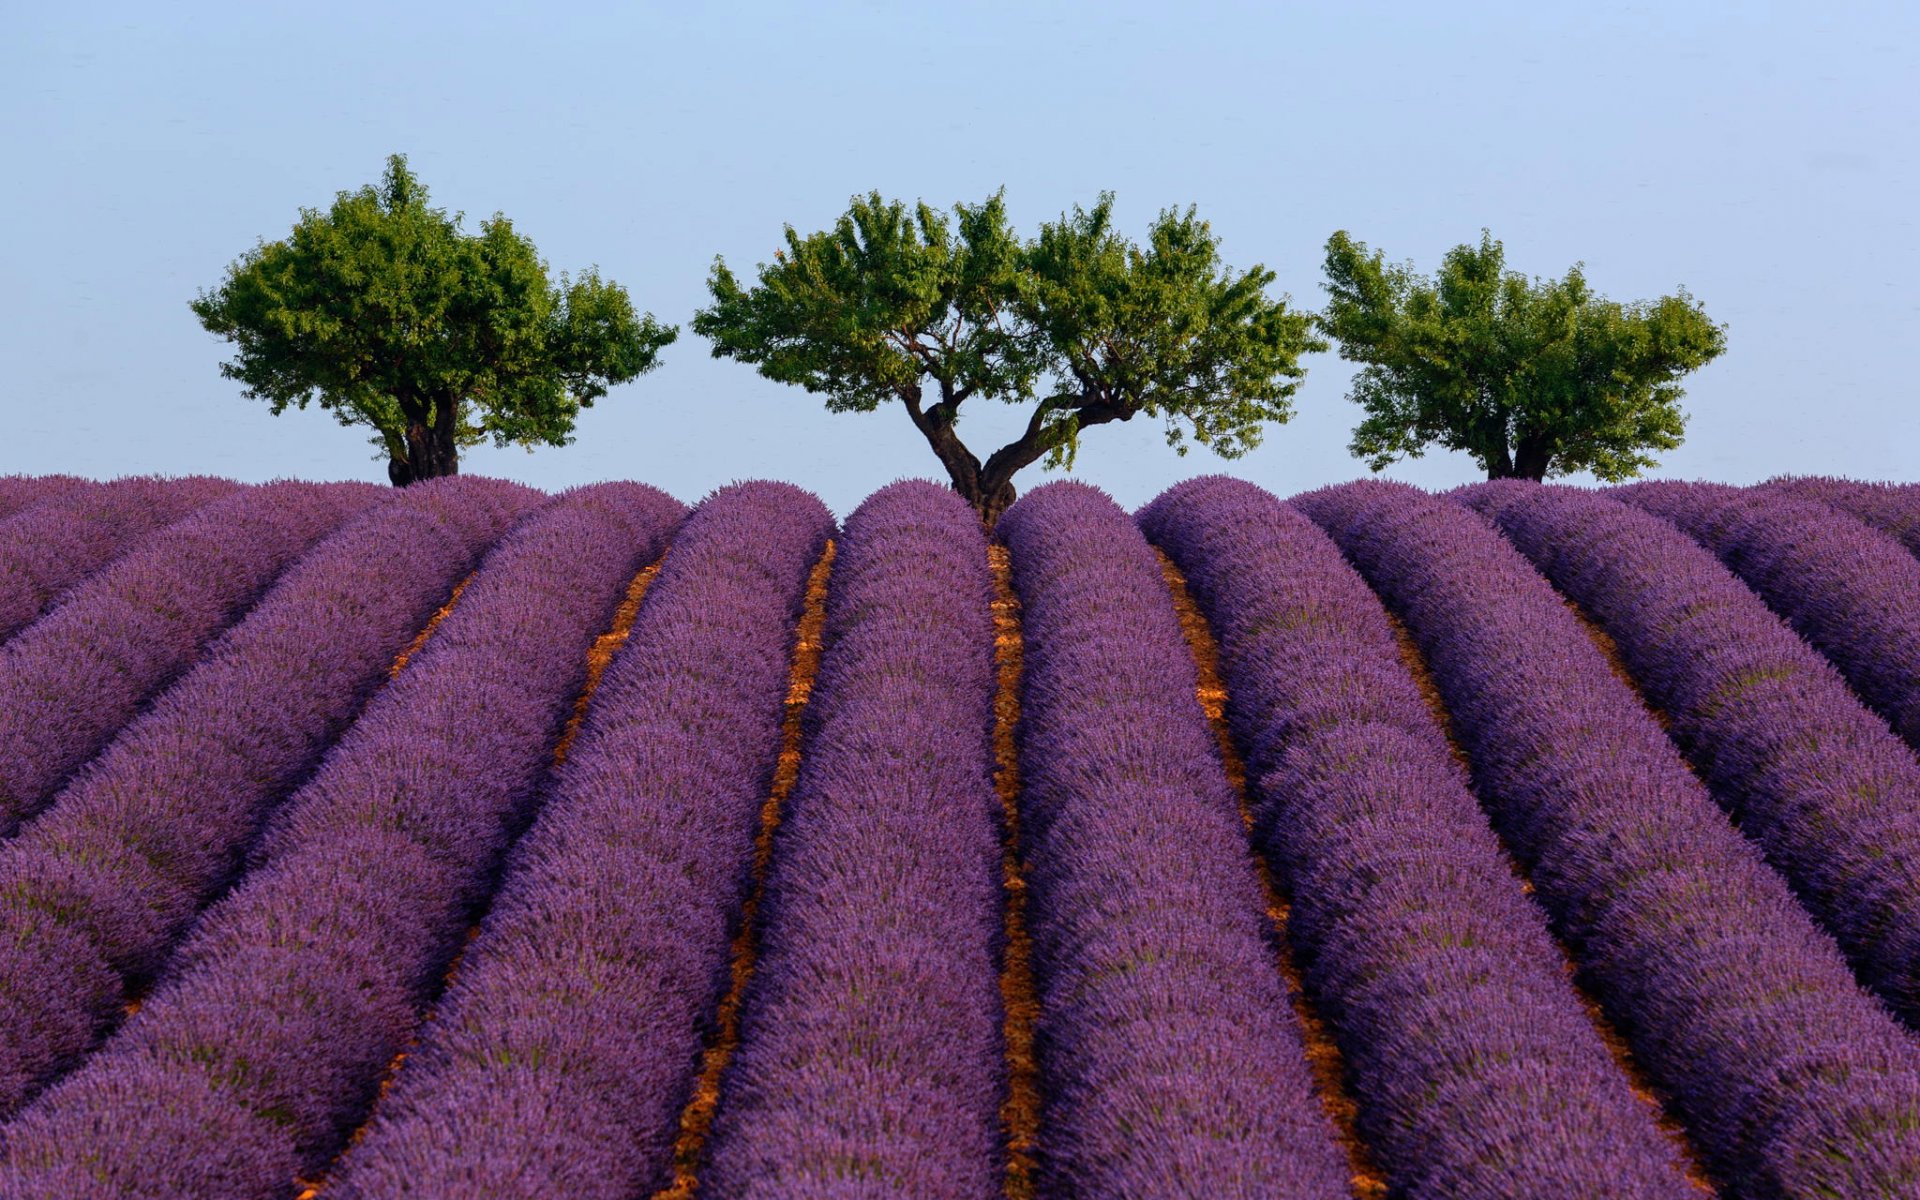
(1330, 1068)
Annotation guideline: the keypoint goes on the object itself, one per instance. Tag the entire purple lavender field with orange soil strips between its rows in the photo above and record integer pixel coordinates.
(469, 842)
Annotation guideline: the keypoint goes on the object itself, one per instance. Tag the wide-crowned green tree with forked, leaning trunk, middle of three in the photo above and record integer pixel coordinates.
(1088, 327)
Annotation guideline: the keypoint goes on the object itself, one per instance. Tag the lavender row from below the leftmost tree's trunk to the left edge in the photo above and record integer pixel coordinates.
(99, 888)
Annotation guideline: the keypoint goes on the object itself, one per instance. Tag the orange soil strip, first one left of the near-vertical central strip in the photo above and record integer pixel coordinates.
(698, 1118)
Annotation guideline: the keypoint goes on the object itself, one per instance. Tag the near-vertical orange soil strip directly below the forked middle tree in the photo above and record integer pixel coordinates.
(1020, 1113)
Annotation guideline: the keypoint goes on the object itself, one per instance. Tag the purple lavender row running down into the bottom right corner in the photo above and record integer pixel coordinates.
(1792, 1080)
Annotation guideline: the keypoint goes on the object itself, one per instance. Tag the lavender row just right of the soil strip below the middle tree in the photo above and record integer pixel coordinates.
(1170, 1055)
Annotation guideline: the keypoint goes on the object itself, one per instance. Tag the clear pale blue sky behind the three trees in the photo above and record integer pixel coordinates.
(1765, 156)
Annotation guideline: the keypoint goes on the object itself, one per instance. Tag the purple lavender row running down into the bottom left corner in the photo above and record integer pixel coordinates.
(277, 1019)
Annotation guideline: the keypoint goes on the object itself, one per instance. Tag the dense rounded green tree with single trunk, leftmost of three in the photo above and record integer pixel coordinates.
(389, 316)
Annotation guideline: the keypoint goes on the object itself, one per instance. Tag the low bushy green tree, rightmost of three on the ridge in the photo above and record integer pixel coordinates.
(1529, 377)
